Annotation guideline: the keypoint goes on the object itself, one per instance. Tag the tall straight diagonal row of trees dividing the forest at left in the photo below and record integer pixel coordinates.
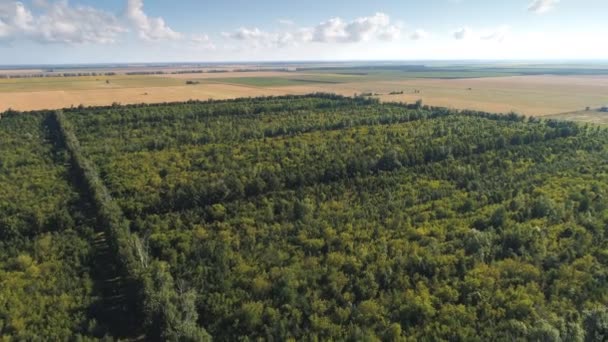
(164, 313)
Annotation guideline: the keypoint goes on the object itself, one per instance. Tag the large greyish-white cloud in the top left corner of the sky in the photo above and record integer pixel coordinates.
(59, 23)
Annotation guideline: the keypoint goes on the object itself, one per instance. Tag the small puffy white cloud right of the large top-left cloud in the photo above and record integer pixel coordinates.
(149, 28)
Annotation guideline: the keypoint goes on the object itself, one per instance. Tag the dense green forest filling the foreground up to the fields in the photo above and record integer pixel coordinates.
(316, 217)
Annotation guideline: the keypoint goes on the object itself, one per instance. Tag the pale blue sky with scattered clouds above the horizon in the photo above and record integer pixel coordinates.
(147, 31)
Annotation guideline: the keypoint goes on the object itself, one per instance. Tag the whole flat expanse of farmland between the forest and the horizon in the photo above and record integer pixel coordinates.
(525, 89)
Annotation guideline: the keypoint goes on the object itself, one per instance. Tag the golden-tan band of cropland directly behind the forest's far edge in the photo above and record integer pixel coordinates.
(529, 95)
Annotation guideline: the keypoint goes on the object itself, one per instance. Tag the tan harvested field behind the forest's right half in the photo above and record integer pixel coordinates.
(529, 95)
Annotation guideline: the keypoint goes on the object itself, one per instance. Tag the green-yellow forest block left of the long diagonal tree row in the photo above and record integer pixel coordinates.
(46, 288)
